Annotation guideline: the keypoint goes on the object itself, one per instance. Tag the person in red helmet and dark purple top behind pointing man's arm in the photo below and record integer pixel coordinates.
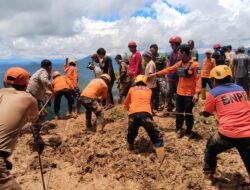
(172, 78)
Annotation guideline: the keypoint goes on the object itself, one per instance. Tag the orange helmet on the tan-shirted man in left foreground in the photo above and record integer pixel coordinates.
(16, 76)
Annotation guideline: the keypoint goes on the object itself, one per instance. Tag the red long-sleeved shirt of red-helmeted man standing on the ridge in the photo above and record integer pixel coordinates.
(134, 67)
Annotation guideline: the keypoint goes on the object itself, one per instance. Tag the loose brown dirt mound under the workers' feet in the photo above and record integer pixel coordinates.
(90, 160)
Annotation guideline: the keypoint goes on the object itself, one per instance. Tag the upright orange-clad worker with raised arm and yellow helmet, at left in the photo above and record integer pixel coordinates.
(71, 72)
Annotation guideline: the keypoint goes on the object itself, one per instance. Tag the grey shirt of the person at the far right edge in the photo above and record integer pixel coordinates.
(241, 63)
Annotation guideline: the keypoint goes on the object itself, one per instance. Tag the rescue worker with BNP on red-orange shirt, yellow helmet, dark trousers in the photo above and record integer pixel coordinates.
(229, 101)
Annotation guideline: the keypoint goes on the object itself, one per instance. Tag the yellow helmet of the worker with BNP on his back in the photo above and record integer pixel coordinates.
(220, 72)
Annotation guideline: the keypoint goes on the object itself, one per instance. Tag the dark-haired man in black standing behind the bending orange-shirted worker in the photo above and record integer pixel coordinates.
(107, 68)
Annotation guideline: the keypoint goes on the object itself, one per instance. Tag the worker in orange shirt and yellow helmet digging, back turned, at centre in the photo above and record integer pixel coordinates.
(138, 104)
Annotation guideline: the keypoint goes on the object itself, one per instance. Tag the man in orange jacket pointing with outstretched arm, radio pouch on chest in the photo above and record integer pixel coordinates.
(188, 88)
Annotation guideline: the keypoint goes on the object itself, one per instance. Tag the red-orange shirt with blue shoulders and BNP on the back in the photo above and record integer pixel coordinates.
(229, 101)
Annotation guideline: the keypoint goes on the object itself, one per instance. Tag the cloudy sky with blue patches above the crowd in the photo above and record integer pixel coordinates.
(33, 29)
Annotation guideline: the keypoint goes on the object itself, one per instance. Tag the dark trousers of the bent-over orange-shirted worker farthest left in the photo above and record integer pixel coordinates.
(58, 96)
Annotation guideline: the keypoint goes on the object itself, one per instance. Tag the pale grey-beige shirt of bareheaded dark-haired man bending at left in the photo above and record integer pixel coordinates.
(39, 82)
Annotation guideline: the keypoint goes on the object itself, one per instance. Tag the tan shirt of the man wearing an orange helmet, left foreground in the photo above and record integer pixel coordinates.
(16, 109)
